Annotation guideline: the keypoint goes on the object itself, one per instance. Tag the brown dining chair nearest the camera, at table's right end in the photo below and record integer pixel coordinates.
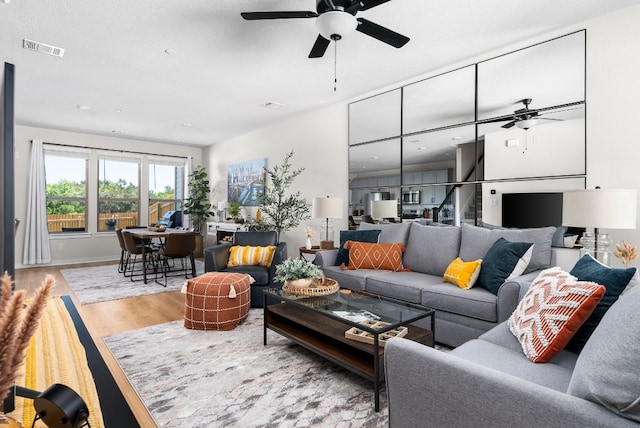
(177, 246)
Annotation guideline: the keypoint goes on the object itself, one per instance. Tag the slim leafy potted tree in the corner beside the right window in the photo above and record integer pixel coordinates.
(197, 205)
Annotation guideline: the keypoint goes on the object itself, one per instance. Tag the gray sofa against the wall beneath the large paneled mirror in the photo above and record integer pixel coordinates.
(461, 314)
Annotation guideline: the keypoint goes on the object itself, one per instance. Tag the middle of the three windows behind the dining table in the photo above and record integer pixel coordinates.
(118, 192)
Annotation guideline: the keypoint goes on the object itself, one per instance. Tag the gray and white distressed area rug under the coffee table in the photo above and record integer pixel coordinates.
(229, 379)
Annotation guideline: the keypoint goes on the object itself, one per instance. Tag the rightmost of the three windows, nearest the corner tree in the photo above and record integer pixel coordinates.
(166, 189)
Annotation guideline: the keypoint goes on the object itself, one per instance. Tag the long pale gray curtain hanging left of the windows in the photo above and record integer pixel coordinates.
(36, 238)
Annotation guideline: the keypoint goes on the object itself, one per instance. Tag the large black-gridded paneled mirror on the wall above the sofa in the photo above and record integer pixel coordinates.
(446, 148)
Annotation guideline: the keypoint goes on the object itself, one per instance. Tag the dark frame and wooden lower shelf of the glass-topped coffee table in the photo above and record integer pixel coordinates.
(324, 335)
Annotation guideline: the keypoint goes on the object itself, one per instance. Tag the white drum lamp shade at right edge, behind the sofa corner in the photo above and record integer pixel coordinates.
(600, 208)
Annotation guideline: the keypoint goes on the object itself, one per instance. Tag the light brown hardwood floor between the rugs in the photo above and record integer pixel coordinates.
(115, 316)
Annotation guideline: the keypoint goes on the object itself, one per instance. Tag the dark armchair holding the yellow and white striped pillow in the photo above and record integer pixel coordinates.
(217, 256)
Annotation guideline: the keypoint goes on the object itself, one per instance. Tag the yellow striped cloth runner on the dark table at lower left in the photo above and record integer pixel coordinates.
(55, 355)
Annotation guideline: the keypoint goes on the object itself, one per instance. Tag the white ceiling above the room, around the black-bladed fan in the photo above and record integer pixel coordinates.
(223, 68)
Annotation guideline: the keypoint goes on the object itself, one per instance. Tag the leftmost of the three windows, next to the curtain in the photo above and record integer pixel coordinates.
(66, 184)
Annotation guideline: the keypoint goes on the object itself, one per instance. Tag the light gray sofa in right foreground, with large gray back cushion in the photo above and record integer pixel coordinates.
(488, 382)
